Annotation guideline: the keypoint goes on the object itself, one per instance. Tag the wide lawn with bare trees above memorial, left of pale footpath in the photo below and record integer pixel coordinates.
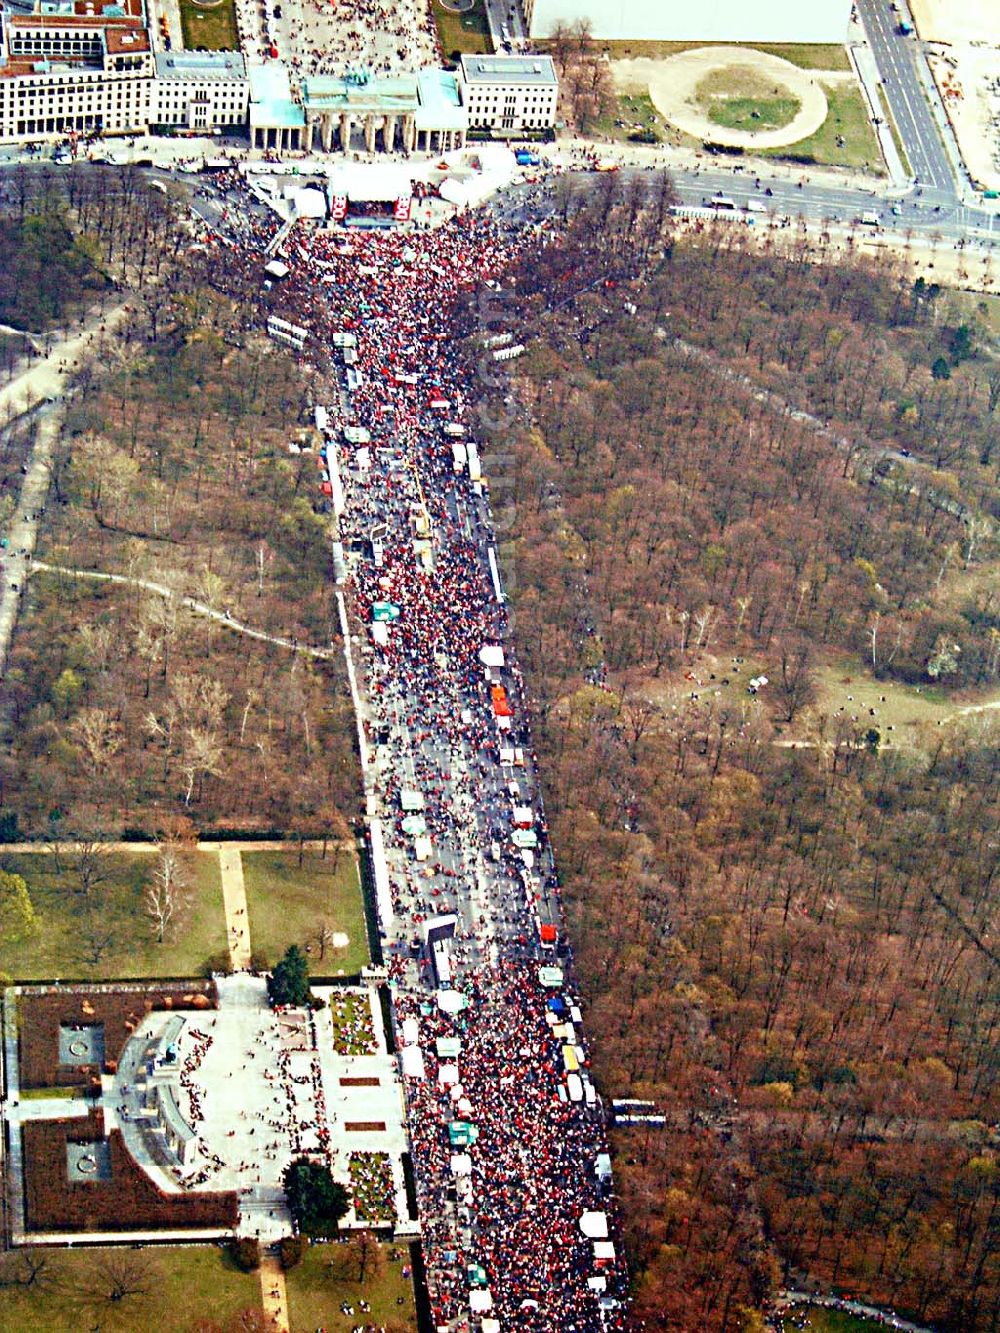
(109, 934)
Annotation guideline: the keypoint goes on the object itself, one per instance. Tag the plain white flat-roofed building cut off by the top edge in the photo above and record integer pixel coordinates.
(713, 21)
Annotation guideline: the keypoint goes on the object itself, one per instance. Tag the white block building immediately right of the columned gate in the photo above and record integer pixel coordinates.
(510, 94)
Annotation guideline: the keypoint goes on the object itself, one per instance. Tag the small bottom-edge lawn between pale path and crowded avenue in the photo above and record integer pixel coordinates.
(315, 1294)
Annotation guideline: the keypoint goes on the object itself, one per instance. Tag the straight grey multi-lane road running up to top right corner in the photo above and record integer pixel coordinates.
(898, 57)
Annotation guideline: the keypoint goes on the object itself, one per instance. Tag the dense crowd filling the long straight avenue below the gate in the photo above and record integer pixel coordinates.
(534, 1167)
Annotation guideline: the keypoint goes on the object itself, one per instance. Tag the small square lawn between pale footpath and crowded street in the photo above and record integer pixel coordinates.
(290, 906)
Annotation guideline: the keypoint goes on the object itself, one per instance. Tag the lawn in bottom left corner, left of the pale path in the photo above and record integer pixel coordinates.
(185, 1284)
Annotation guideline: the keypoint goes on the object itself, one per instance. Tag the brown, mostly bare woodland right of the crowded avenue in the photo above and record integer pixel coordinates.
(790, 950)
